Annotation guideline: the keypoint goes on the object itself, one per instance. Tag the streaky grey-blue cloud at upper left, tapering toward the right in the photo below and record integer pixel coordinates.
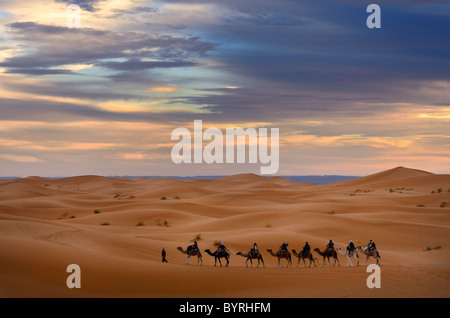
(55, 46)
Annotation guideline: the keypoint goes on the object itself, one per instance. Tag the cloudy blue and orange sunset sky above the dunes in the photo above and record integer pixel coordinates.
(104, 98)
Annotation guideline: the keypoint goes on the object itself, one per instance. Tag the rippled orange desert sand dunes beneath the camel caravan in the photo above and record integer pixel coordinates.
(115, 228)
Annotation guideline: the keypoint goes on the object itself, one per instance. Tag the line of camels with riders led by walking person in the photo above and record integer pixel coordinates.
(284, 254)
